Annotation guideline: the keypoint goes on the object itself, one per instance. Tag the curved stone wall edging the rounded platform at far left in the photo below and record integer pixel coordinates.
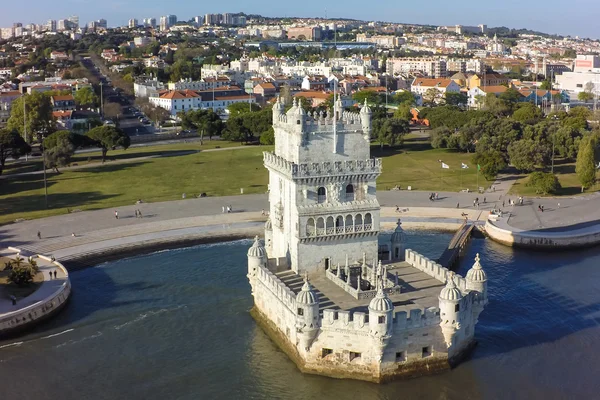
(35, 313)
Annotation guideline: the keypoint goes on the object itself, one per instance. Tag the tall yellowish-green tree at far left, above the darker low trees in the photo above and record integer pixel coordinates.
(39, 119)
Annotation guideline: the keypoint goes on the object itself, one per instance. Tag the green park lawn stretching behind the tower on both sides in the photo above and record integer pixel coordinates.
(183, 168)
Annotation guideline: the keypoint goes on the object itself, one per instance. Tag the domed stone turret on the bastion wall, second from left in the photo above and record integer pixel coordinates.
(307, 315)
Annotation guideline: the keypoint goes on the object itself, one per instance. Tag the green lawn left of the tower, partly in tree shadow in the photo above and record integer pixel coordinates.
(177, 169)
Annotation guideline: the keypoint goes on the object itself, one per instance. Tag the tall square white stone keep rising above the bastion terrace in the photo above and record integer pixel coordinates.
(322, 188)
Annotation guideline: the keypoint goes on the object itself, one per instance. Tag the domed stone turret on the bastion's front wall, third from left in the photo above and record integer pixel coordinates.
(380, 321)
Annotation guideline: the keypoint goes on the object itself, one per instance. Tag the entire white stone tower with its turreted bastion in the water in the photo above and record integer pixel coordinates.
(337, 301)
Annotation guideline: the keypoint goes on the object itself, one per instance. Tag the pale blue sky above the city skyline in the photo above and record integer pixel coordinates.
(573, 17)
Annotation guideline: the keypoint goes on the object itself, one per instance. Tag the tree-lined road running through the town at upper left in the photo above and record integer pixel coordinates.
(127, 121)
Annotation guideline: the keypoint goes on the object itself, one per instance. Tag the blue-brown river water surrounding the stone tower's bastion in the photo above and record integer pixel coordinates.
(175, 325)
